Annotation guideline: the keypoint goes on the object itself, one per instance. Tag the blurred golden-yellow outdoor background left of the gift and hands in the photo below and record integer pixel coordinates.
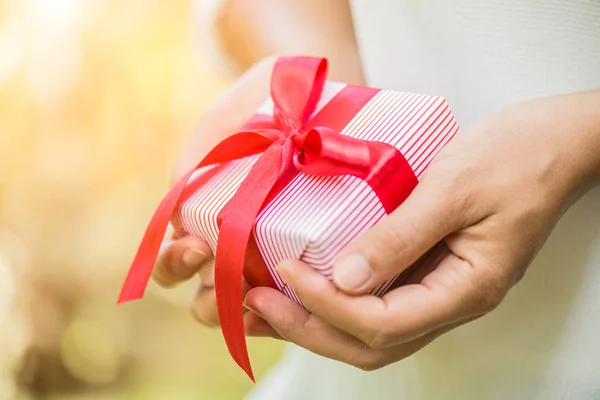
(97, 98)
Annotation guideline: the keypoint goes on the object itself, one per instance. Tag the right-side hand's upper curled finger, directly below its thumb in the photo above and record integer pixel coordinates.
(446, 296)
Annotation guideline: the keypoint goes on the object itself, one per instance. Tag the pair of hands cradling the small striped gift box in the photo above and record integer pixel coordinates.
(462, 239)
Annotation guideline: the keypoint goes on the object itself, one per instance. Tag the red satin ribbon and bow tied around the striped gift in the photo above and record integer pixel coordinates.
(290, 142)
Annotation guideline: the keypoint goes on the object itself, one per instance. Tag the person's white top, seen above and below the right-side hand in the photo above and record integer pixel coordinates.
(543, 342)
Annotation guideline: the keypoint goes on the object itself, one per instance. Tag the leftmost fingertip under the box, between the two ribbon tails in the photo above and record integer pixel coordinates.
(180, 259)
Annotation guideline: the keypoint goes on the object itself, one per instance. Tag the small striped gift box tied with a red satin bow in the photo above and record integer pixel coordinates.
(318, 164)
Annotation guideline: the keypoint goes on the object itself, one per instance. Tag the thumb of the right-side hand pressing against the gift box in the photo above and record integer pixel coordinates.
(398, 240)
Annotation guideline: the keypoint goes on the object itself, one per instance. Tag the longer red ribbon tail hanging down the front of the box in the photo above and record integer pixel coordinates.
(239, 216)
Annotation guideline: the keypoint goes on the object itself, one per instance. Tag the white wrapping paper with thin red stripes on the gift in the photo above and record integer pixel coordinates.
(313, 218)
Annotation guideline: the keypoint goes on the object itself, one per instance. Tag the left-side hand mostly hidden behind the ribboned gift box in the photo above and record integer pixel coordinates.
(182, 258)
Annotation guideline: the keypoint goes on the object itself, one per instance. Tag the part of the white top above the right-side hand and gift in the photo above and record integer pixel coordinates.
(480, 55)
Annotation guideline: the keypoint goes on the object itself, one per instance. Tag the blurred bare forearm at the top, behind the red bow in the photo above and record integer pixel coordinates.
(253, 29)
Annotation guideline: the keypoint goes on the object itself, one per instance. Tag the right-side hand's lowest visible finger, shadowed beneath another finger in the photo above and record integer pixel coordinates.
(299, 326)
